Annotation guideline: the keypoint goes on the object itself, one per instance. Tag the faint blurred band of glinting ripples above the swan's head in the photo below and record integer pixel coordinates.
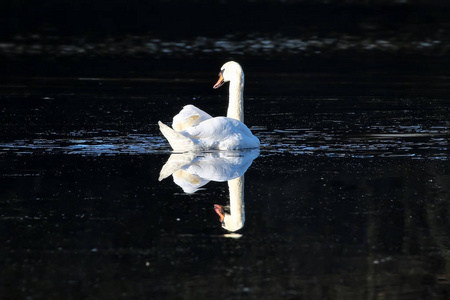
(253, 45)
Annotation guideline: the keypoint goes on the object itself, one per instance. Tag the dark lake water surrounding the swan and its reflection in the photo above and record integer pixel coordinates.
(348, 198)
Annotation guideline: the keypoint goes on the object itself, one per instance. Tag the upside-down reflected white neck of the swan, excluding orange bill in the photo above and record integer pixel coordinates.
(236, 218)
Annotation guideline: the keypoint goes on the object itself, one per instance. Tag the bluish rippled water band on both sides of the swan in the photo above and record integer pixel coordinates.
(422, 144)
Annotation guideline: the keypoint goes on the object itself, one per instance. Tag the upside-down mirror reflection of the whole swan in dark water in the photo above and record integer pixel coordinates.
(191, 171)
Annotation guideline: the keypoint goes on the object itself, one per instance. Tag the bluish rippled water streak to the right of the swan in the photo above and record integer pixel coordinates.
(431, 144)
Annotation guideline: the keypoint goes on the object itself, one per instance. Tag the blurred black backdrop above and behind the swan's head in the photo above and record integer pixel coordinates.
(142, 38)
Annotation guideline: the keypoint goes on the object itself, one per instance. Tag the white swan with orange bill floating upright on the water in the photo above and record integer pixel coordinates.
(195, 130)
